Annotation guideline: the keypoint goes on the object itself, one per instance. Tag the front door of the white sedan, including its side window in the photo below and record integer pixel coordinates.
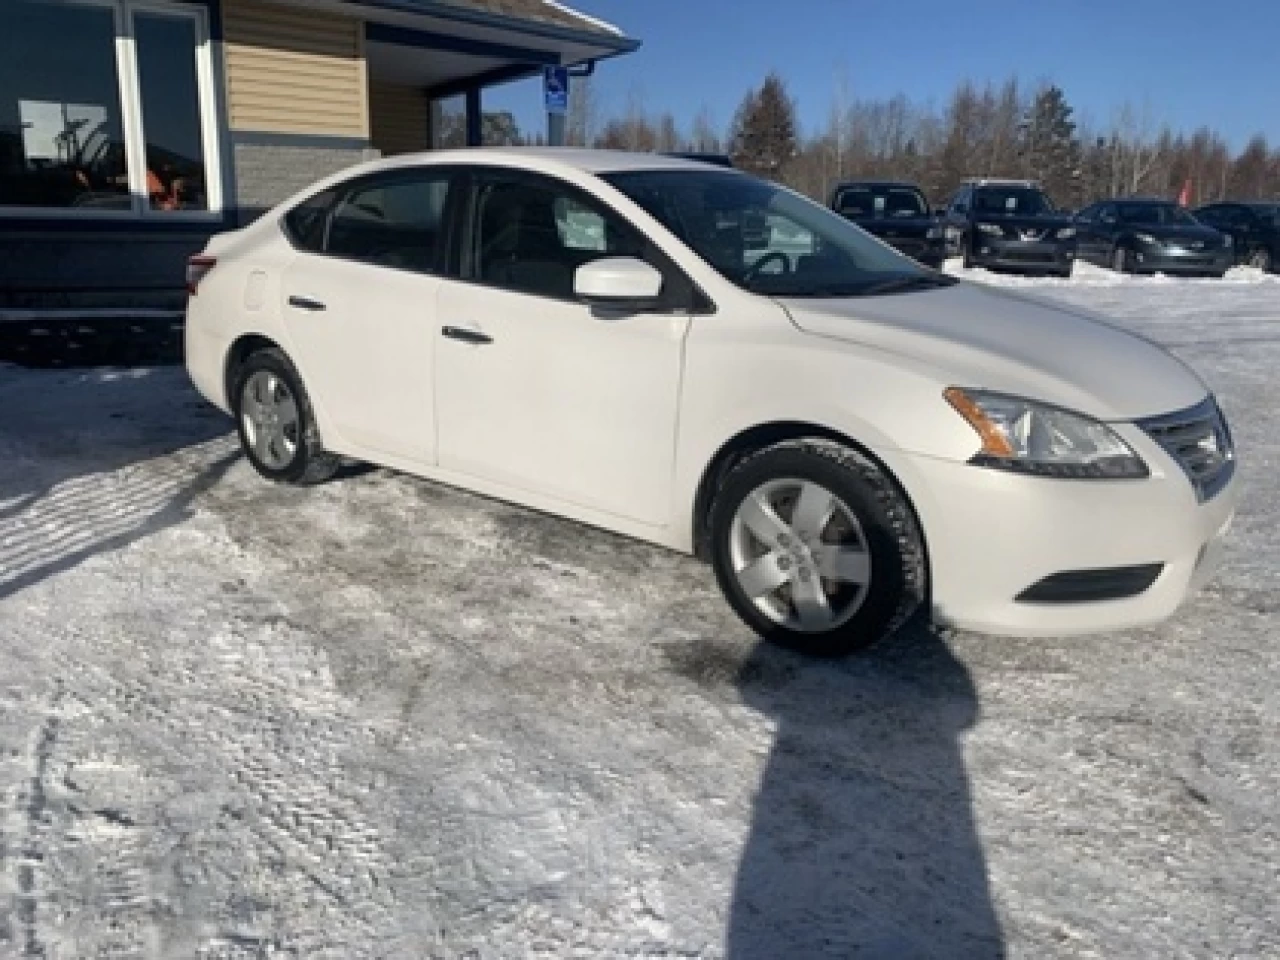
(537, 392)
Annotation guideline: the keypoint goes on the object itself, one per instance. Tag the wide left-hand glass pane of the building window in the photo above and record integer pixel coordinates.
(62, 140)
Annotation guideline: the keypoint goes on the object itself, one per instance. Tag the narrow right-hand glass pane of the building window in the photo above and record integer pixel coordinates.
(171, 112)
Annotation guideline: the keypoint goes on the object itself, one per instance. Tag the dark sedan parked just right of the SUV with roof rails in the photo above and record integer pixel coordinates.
(1151, 236)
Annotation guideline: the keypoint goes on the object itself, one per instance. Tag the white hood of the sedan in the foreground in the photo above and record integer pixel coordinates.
(984, 339)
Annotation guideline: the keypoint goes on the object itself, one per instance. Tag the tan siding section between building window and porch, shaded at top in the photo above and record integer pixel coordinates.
(295, 71)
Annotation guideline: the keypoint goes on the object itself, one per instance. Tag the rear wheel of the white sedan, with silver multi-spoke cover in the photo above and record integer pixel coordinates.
(276, 423)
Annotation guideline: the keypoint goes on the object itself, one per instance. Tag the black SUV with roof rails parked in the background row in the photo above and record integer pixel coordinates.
(1009, 226)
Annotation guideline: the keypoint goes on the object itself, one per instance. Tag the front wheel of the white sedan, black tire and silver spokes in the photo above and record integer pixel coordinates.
(825, 587)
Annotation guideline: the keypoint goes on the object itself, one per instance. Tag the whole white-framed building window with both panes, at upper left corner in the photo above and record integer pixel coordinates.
(106, 108)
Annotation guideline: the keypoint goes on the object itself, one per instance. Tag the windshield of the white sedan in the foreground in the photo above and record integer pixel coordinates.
(769, 240)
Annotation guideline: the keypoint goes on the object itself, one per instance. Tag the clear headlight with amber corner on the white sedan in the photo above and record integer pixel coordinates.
(1036, 438)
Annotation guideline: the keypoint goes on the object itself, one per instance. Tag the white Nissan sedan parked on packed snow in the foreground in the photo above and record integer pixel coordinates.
(700, 359)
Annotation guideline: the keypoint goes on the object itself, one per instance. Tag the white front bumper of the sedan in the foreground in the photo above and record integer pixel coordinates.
(993, 537)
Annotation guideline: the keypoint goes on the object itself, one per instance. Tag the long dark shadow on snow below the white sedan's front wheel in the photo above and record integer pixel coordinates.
(863, 842)
